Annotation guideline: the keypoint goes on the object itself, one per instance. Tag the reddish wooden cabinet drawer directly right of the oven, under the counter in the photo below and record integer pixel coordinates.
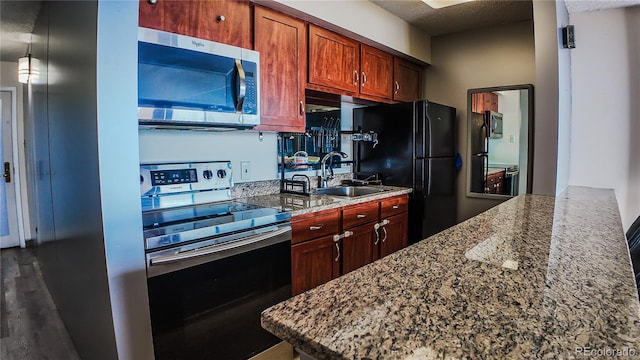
(311, 226)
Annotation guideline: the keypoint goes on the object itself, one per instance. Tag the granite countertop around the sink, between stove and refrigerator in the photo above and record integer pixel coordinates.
(300, 204)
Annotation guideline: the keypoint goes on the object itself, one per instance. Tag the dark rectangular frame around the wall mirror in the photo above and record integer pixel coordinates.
(530, 138)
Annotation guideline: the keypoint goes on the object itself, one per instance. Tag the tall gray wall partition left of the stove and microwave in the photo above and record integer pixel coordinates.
(83, 129)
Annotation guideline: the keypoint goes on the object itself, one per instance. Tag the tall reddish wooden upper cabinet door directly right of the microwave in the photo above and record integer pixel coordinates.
(282, 43)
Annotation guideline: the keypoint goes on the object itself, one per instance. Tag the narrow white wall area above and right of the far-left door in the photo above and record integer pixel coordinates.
(9, 78)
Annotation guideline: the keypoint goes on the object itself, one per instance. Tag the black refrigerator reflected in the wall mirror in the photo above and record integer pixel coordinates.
(479, 151)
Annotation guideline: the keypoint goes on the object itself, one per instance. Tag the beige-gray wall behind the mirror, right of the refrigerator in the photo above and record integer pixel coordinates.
(496, 56)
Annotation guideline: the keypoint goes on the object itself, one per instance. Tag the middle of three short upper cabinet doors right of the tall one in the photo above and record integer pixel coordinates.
(376, 72)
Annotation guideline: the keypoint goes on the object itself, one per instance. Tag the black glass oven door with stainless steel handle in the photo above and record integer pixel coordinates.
(206, 303)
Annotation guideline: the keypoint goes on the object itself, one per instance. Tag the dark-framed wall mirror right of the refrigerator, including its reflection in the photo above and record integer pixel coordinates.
(499, 141)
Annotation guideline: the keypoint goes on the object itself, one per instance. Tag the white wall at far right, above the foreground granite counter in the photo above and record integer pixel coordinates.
(605, 72)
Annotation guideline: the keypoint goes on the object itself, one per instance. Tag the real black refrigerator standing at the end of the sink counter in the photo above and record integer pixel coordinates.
(415, 148)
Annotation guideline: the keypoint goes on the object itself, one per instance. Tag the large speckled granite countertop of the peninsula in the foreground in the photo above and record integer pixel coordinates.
(534, 277)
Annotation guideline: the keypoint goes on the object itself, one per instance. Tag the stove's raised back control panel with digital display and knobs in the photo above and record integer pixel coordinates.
(175, 178)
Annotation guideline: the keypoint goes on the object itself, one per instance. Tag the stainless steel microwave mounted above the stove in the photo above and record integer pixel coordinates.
(186, 81)
